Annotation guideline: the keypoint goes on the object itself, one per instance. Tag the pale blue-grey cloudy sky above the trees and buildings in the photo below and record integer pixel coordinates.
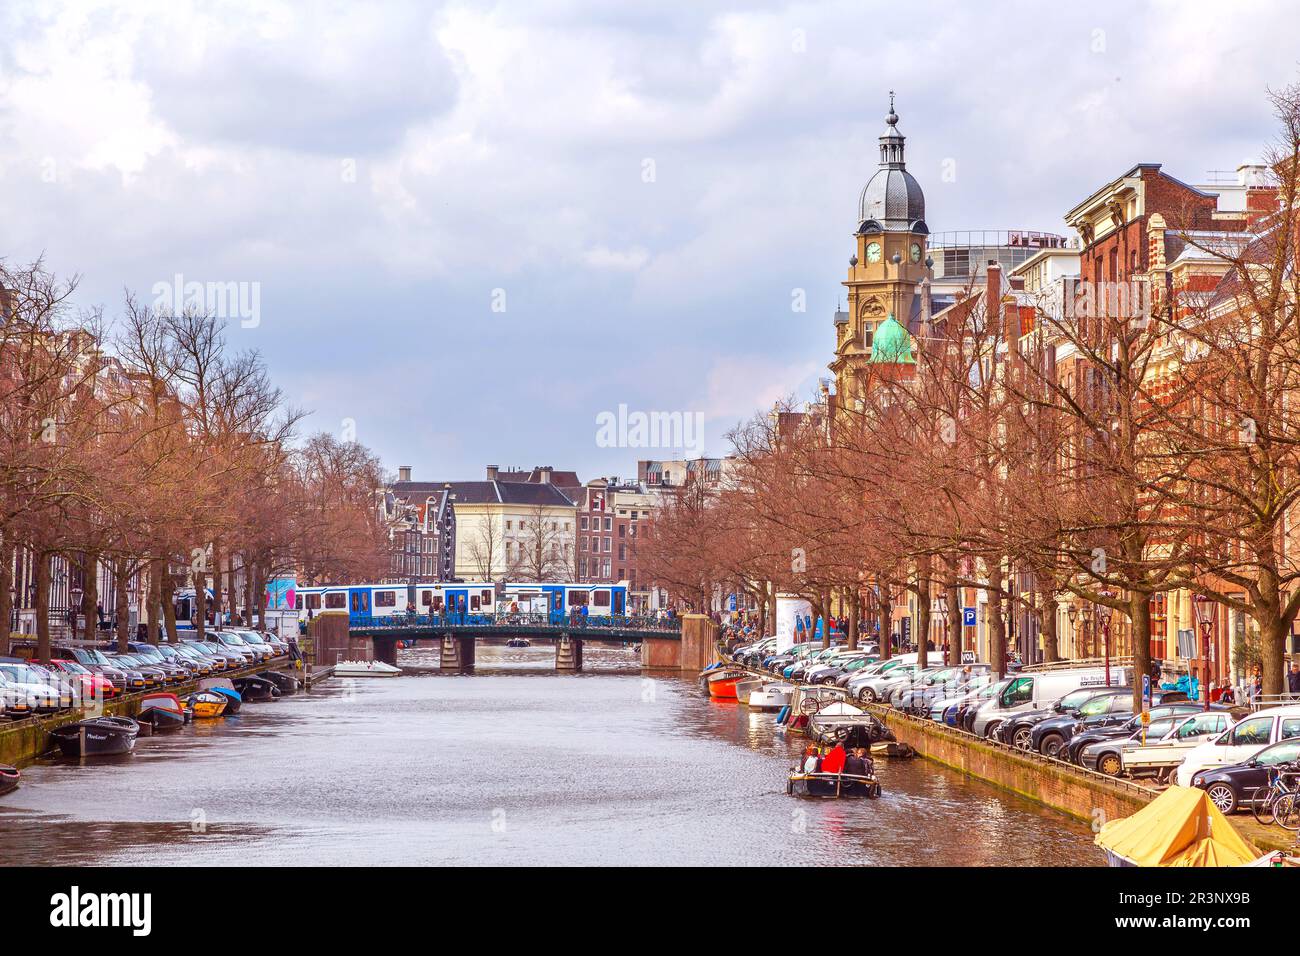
(474, 228)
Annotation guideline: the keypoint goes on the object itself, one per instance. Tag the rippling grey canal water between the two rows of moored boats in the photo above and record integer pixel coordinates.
(514, 764)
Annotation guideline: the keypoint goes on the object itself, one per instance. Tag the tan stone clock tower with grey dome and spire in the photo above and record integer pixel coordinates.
(886, 271)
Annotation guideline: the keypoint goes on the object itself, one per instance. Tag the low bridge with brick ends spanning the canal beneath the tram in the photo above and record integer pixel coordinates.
(681, 644)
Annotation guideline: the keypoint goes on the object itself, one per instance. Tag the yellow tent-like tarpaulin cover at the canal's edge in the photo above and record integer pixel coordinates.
(1181, 828)
